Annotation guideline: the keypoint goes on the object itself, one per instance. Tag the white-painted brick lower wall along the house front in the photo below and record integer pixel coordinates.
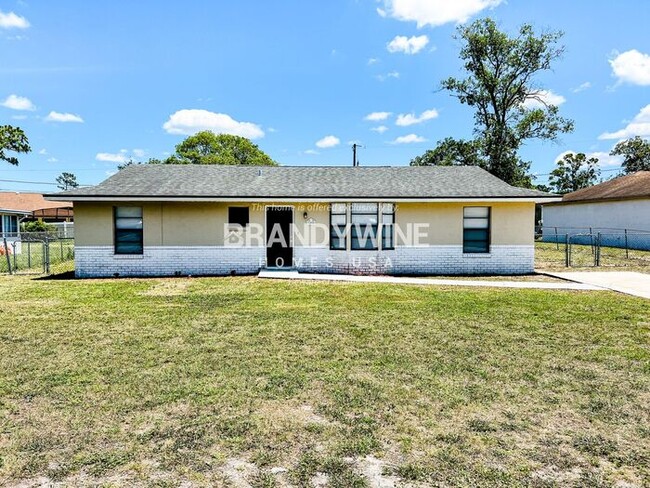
(99, 261)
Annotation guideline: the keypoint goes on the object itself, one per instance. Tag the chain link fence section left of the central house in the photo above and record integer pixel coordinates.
(36, 253)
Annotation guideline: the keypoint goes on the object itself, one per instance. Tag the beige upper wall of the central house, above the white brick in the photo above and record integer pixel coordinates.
(202, 224)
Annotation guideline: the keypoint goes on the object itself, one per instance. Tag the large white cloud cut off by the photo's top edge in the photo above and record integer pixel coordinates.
(435, 12)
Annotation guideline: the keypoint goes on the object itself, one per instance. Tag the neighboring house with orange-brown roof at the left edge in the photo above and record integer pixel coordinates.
(27, 207)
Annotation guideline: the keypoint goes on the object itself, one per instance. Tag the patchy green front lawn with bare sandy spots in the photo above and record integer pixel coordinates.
(219, 380)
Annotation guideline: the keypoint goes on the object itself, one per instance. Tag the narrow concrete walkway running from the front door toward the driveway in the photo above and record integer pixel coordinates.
(294, 275)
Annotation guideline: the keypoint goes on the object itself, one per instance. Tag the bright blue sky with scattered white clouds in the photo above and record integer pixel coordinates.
(93, 83)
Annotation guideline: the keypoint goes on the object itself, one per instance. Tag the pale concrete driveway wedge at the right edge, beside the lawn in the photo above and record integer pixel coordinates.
(629, 282)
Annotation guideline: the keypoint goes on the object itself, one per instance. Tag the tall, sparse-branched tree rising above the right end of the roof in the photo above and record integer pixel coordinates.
(509, 108)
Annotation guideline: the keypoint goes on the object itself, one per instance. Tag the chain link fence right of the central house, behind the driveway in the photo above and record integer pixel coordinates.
(592, 247)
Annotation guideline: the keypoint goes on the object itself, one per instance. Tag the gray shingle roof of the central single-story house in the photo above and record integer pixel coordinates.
(215, 181)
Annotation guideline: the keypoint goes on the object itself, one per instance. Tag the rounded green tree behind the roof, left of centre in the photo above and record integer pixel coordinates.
(209, 148)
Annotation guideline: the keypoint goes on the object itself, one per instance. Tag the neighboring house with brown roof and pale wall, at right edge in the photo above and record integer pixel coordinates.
(618, 209)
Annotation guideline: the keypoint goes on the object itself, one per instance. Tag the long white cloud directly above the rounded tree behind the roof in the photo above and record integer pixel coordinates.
(191, 121)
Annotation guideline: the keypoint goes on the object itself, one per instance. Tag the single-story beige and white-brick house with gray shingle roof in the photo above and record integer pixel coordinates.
(216, 220)
